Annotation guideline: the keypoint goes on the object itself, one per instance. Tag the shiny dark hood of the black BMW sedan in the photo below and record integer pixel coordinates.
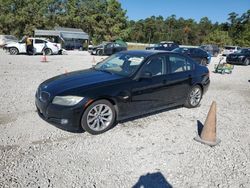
(75, 80)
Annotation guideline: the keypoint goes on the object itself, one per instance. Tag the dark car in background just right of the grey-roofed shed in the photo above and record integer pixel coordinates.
(107, 48)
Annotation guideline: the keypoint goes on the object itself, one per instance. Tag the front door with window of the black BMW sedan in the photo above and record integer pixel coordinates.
(147, 94)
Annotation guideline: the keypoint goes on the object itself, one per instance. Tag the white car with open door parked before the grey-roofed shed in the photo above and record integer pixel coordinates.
(40, 46)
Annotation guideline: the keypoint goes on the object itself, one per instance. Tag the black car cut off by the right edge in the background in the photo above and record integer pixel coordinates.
(242, 57)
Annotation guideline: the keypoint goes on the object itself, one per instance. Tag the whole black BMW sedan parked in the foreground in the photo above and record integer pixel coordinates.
(126, 84)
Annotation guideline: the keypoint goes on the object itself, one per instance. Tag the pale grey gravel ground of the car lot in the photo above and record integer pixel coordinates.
(156, 150)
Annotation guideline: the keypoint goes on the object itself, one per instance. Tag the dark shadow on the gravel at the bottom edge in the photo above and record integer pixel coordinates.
(154, 180)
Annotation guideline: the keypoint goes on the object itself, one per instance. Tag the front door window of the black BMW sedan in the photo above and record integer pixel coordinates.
(154, 66)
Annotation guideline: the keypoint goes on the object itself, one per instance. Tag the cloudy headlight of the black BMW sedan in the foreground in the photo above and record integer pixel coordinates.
(66, 100)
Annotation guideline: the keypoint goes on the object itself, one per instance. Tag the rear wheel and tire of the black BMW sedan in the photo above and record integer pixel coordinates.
(194, 97)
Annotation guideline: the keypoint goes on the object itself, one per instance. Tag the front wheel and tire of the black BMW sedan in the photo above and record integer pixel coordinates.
(98, 117)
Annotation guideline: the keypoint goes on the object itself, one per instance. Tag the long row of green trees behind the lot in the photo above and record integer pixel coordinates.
(106, 20)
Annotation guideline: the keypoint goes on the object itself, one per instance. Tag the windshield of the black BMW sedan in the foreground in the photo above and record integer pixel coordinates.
(122, 64)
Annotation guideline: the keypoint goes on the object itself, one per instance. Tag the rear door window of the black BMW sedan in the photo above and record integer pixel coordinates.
(179, 64)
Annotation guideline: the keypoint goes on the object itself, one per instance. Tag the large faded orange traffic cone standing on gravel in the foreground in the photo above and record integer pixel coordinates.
(208, 133)
